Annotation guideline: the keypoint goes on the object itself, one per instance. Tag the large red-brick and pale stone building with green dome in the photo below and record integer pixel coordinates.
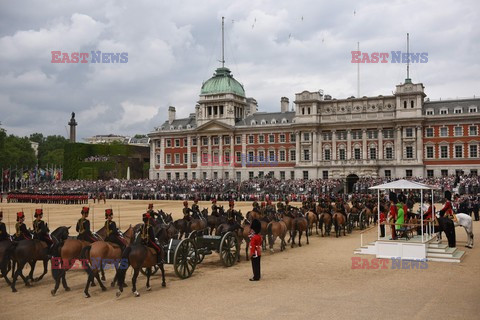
(397, 135)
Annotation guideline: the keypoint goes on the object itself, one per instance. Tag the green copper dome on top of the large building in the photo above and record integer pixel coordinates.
(222, 82)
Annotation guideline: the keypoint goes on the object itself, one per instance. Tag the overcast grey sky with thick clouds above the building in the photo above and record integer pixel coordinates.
(274, 48)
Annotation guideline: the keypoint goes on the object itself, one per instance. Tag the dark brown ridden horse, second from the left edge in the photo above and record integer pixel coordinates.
(30, 251)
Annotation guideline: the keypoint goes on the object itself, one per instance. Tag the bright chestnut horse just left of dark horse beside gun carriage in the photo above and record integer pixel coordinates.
(102, 252)
